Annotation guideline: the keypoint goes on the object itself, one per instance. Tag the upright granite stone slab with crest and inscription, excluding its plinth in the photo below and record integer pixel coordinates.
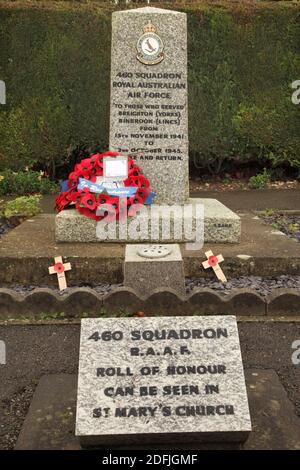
(148, 106)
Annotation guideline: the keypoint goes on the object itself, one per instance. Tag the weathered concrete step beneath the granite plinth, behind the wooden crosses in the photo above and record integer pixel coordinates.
(28, 250)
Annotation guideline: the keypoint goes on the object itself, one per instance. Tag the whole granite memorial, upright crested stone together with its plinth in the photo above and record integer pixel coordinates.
(149, 121)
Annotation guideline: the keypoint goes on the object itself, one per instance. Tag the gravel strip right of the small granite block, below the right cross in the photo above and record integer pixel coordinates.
(262, 286)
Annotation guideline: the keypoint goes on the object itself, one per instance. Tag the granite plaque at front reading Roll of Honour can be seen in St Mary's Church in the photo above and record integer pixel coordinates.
(161, 379)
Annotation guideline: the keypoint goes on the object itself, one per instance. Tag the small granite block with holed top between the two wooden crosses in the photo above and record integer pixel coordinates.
(144, 275)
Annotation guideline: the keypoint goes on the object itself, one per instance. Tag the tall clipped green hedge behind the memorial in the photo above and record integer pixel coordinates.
(55, 61)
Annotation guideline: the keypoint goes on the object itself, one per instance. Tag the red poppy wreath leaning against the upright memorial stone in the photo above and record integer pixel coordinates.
(90, 203)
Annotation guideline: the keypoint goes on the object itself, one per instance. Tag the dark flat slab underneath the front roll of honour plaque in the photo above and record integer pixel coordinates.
(50, 422)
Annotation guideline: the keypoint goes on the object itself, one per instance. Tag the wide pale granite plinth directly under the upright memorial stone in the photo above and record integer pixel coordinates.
(221, 225)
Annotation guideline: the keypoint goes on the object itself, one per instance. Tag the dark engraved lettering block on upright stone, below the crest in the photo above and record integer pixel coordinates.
(146, 116)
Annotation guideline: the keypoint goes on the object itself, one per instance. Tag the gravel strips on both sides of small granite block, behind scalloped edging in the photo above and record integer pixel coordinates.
(262, 286)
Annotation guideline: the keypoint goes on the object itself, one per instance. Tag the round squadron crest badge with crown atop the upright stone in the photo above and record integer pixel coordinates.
(150, 46)
